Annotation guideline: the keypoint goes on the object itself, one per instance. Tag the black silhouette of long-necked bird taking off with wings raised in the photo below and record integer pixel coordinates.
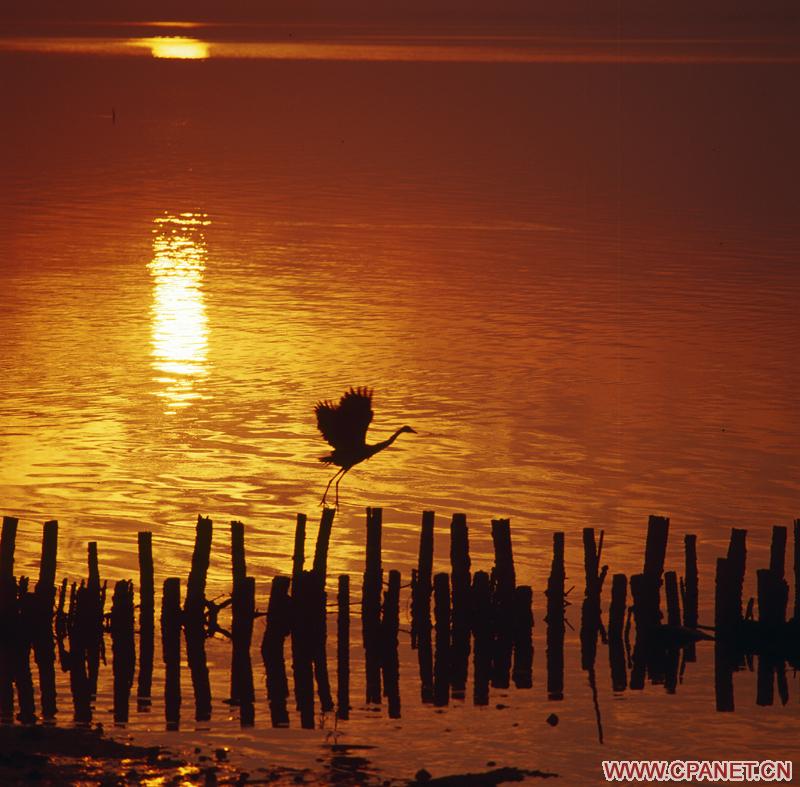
(344, 426)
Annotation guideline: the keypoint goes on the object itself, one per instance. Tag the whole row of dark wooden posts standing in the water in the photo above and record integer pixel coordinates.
(454, 615)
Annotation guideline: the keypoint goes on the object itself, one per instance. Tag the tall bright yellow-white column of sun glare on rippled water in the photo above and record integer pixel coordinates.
(179, 321)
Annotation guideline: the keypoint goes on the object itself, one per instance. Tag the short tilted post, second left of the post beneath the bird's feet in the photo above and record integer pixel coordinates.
(279, 617)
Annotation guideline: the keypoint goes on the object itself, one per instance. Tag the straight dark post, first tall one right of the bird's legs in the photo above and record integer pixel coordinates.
(371, 605)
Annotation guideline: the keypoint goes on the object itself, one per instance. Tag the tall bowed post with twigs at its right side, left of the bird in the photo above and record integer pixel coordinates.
(194, 619)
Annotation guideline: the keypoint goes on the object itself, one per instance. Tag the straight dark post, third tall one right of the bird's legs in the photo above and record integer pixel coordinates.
(461, 582)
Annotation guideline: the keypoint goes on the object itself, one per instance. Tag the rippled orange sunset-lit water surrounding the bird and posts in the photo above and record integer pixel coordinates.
(575, 277)
